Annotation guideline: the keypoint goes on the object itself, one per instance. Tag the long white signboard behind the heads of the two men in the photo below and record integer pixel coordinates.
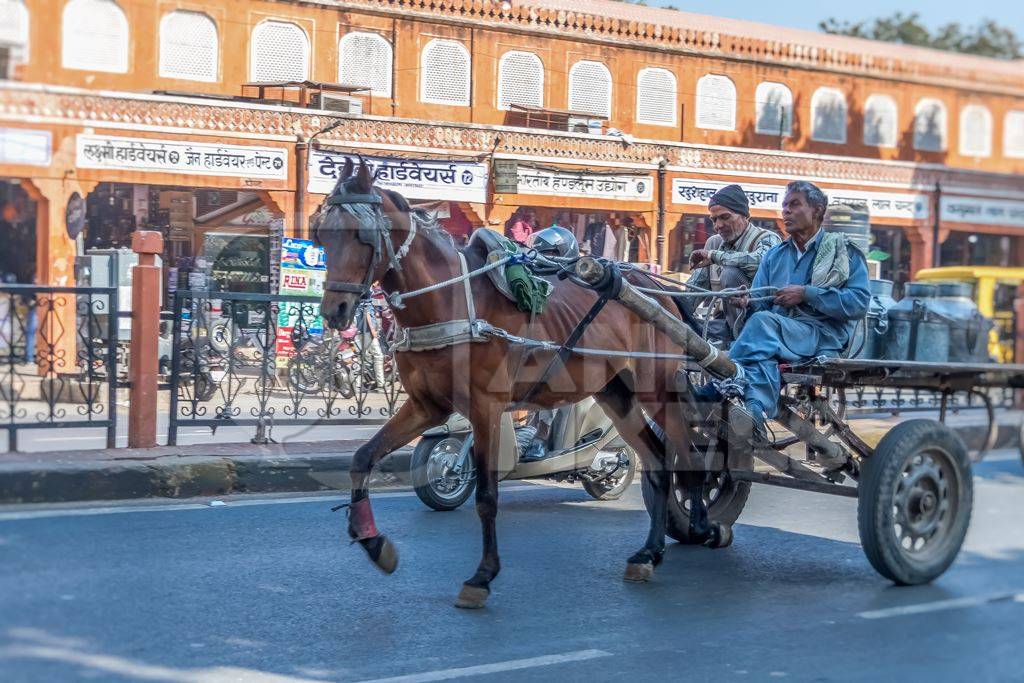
(770, 198)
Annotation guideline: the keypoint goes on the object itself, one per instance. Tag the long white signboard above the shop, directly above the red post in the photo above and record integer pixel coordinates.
(138, 154)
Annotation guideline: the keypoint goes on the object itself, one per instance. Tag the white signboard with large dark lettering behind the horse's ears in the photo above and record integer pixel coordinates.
(415, 180)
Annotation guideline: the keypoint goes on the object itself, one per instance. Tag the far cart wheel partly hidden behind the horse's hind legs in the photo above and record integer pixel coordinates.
(726, 499)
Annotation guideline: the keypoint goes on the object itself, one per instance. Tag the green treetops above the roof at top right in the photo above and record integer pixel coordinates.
(989, 39)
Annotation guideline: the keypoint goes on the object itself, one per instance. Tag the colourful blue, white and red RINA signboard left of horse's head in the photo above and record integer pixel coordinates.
(304, 270)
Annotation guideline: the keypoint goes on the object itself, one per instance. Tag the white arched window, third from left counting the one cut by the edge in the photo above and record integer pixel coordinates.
(189, 47)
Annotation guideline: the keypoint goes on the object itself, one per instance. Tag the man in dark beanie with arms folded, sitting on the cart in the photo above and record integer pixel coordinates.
(731, 259)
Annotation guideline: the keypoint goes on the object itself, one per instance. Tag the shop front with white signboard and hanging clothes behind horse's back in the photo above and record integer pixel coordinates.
(611, 214)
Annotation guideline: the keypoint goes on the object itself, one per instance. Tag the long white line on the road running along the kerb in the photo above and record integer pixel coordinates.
(77, 509)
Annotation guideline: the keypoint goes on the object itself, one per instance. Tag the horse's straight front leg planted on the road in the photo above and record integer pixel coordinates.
(487, 443)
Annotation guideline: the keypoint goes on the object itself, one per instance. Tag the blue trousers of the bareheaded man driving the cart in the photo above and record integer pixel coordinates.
(767, 339)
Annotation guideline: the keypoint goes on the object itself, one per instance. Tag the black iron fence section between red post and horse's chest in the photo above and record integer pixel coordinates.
(261, 361)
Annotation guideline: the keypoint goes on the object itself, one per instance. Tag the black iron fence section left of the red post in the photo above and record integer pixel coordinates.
(59, 360)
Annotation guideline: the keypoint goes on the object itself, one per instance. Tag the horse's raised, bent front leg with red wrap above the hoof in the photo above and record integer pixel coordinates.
(411, 420)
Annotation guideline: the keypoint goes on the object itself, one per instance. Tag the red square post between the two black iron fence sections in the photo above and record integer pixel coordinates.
(144, 361)
